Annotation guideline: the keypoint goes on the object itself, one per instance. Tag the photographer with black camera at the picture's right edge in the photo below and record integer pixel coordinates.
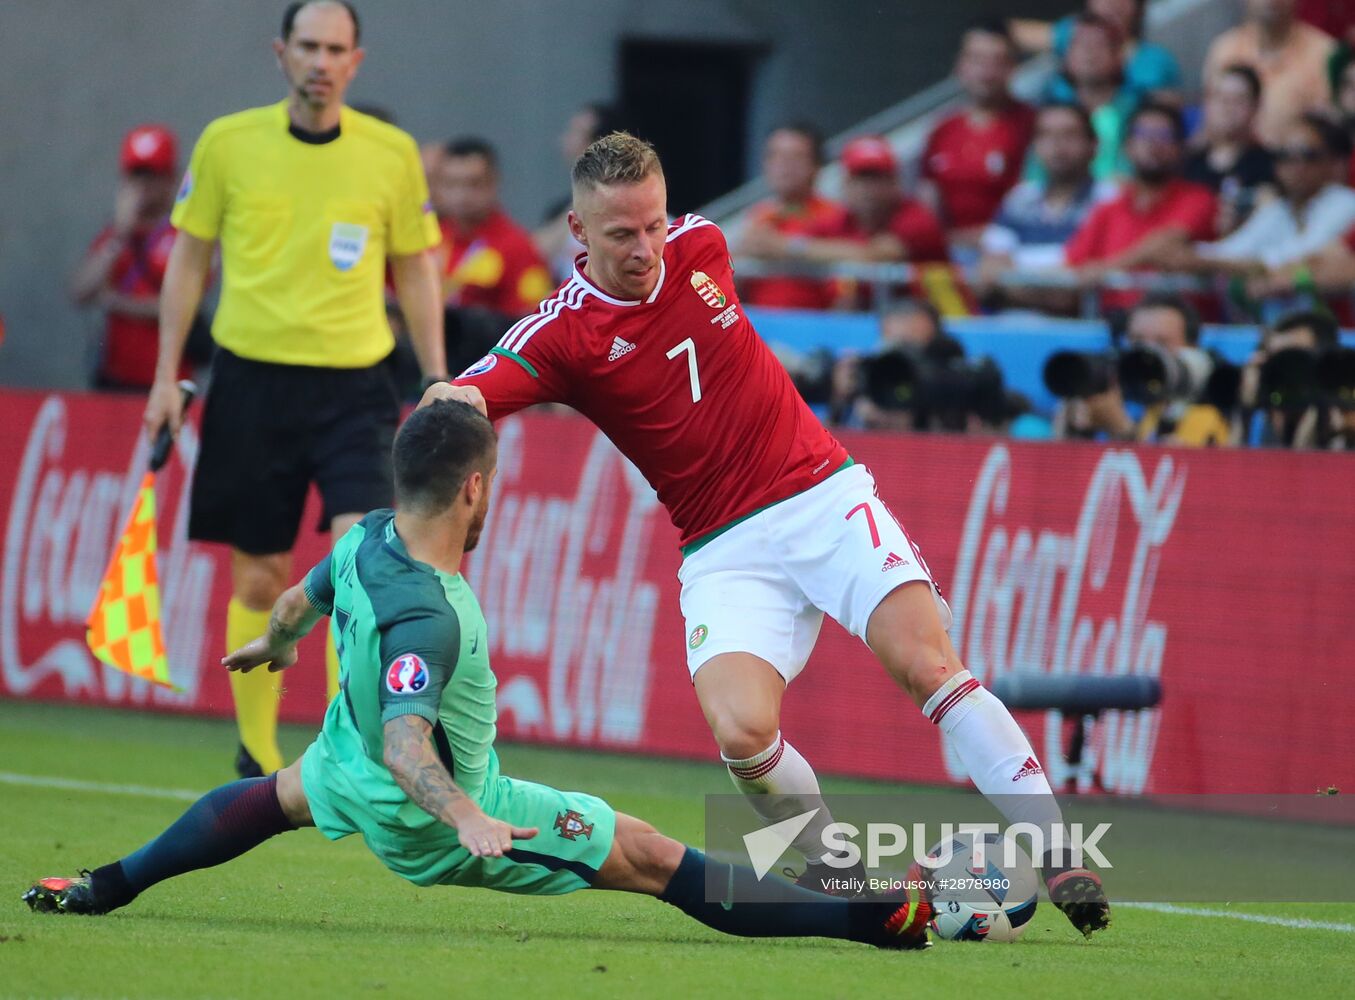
(1299, 390)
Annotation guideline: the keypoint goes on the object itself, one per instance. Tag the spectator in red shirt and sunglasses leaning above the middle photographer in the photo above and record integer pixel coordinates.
(1158, 212)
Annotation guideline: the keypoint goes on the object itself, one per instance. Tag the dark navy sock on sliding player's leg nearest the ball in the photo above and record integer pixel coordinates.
(783, 911)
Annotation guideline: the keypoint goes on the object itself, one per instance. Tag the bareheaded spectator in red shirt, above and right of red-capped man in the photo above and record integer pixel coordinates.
(975, 157)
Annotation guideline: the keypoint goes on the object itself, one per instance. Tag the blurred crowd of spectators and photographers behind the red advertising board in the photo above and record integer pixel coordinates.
(1119, 196)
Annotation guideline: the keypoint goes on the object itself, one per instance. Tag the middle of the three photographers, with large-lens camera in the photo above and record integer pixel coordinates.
(1185, 392)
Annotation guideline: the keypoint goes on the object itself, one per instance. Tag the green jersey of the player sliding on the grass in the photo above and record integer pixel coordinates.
(413, 642)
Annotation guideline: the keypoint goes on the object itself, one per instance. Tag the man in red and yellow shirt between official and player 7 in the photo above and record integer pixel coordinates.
(493, 273)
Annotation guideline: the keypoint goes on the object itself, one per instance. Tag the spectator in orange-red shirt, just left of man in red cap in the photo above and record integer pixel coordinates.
(791, 166)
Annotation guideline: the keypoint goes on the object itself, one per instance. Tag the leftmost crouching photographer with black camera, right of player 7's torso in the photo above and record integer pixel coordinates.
(921, 380)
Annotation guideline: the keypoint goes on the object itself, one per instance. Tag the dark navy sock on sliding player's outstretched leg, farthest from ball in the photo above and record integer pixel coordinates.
(223, 825)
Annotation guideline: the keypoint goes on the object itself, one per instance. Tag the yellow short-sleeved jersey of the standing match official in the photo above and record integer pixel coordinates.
(306, 231)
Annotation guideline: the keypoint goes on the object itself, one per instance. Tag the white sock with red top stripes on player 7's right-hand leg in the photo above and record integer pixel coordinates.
(995, 751)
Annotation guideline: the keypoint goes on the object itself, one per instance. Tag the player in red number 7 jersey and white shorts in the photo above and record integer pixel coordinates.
(778, 525)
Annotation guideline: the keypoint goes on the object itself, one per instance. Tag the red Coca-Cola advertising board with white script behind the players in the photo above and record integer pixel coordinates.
(1228, 575)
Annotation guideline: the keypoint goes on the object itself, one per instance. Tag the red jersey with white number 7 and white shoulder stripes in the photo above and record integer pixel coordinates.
(681, 383)
